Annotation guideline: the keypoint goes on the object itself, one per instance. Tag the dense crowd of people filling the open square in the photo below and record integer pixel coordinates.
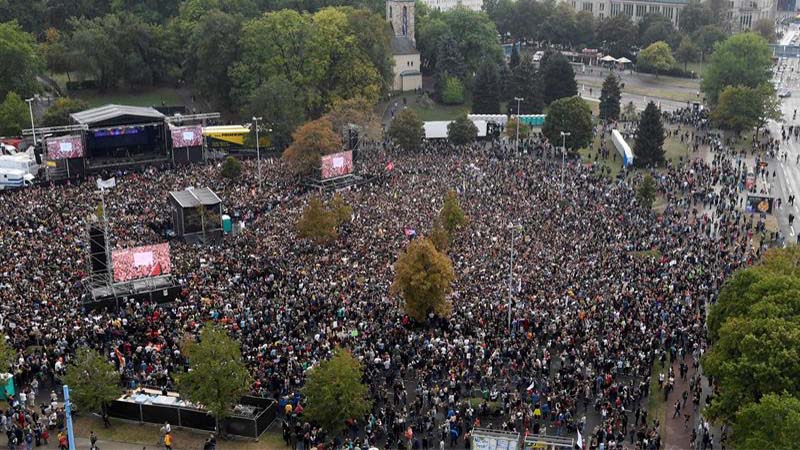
(601, 288)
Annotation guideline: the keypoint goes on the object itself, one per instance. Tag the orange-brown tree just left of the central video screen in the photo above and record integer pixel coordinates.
(310, 142)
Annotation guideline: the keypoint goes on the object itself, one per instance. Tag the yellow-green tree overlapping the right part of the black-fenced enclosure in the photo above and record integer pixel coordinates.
(217, 377)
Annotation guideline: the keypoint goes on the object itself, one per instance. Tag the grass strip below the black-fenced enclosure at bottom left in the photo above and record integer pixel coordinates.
(148, 434)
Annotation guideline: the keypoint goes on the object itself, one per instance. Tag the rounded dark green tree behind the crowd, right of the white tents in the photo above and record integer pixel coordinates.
(571, 115)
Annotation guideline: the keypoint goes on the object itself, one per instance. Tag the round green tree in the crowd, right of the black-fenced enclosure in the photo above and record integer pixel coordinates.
(335, 392)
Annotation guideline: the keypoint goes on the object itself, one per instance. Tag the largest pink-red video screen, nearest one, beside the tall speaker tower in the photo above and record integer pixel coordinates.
(140, 262)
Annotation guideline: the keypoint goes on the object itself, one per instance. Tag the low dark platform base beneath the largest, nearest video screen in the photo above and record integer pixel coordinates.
(100, 294)
